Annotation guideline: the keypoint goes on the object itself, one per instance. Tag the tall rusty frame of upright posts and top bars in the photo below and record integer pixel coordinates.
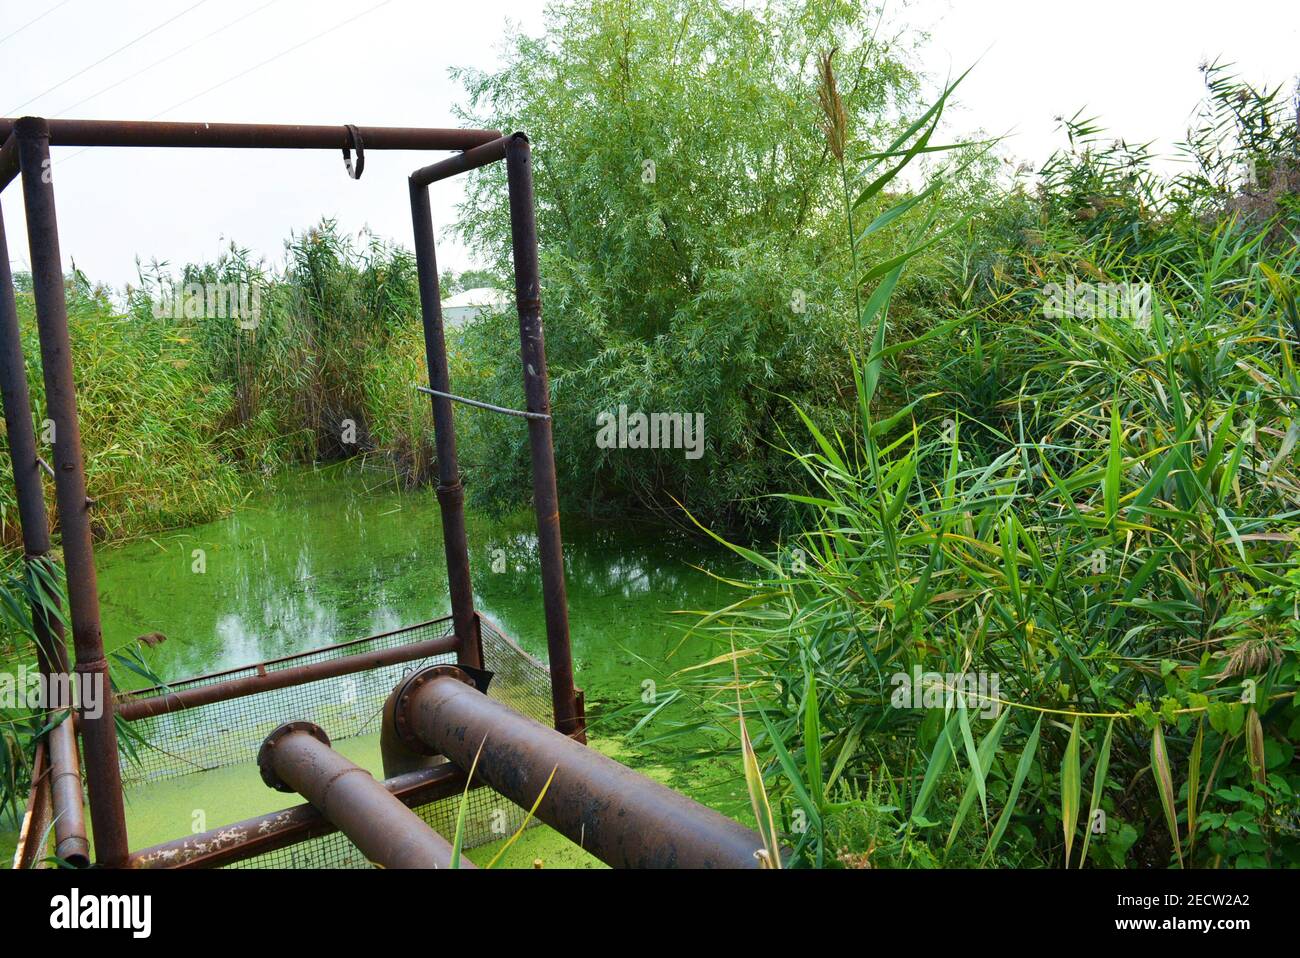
(25, 145)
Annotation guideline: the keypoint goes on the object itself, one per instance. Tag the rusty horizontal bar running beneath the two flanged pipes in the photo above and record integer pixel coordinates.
(278, 830)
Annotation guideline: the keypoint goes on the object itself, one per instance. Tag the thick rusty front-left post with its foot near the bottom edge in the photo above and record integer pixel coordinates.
(99, 734)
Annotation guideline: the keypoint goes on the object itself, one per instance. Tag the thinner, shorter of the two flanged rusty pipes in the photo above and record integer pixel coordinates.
(298, 758)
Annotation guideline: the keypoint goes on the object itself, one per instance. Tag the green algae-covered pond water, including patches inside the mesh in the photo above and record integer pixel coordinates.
(336, 554)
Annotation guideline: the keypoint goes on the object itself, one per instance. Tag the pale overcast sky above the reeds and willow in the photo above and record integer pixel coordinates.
(385, 63)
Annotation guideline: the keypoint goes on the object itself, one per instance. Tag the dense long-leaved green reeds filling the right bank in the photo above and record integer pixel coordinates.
(1098, 508)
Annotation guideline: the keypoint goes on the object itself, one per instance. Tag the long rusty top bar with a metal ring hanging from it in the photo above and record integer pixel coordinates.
(135, 133)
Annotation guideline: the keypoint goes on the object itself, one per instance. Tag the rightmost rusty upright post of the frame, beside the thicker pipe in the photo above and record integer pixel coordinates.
(528, 294)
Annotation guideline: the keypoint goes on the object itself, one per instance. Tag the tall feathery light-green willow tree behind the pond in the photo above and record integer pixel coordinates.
(692, 261)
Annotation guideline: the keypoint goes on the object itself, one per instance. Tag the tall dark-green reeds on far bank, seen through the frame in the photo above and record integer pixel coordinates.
(314, 376)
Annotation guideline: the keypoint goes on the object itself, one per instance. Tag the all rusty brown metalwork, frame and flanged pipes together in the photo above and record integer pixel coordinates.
(622, 817)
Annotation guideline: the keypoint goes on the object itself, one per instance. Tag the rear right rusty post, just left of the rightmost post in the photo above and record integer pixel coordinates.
(452, 495)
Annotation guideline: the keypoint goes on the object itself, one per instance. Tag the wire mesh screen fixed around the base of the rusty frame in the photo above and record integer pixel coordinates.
(229, 734)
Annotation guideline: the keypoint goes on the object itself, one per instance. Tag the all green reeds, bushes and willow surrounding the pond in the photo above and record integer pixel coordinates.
(1037, 430)
